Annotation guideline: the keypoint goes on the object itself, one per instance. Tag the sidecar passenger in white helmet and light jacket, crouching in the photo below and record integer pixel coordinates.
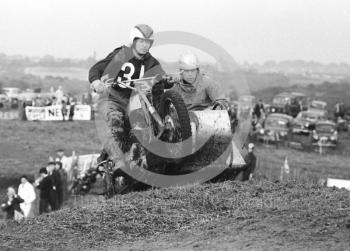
(197, 90)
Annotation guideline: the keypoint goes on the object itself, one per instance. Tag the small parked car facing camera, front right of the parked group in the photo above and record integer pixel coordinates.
(325, 134)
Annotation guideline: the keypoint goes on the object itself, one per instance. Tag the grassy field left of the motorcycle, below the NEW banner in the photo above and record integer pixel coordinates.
(26, 146)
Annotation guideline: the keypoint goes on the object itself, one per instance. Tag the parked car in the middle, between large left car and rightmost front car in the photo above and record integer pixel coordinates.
(306, 120)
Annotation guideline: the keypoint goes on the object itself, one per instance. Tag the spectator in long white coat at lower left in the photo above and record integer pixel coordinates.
(27, 193)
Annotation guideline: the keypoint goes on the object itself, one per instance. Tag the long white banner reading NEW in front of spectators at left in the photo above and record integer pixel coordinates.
(54, 113)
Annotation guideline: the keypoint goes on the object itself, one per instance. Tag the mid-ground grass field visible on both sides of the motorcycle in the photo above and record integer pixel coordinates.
(26, 146)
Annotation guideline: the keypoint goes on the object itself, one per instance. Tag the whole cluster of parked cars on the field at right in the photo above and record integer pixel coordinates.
(306, 124)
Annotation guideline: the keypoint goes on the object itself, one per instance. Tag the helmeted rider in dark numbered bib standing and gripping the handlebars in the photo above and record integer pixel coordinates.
(124, 63)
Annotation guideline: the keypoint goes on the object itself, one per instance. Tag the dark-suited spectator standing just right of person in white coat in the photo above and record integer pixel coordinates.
(44, 183)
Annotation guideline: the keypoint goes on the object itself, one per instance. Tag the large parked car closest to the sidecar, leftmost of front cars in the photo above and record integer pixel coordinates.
(277, 128)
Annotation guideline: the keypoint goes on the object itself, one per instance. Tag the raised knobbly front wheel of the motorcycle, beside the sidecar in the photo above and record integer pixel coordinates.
(175, 115)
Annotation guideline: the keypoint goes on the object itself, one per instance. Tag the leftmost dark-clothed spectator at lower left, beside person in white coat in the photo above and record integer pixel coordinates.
(12, 206)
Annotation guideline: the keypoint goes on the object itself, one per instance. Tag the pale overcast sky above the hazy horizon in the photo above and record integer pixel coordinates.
(250, 30)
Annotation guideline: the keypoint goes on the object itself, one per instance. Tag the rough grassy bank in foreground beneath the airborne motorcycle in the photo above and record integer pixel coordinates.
(295, 214)
